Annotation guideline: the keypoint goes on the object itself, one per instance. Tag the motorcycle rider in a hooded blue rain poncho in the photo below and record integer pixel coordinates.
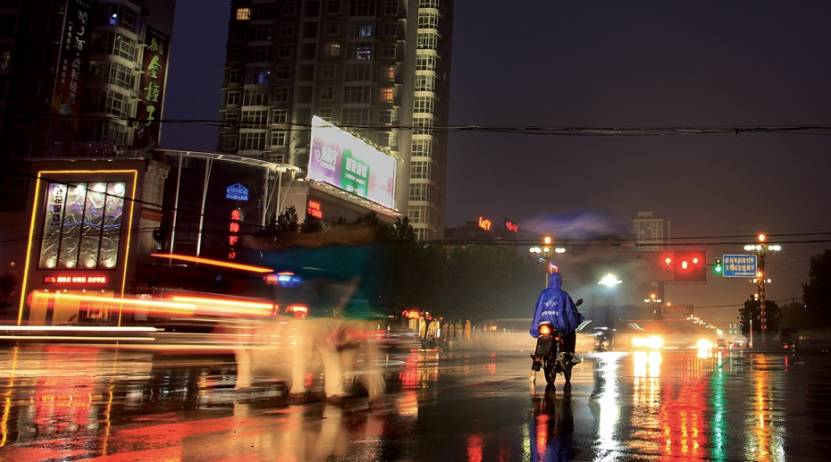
(555, 306)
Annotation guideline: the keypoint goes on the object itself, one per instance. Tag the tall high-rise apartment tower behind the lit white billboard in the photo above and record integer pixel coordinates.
(379, 68)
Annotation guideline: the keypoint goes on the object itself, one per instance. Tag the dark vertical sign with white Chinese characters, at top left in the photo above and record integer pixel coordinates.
(72, 58)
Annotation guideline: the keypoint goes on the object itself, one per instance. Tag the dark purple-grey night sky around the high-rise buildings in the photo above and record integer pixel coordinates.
(603, 64)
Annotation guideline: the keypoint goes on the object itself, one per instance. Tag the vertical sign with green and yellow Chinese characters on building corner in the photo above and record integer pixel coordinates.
(151, 91)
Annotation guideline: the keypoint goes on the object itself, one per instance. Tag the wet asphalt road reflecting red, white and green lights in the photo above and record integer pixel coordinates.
(68, 403)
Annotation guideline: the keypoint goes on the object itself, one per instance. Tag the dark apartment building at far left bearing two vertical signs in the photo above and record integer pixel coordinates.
(80, 78)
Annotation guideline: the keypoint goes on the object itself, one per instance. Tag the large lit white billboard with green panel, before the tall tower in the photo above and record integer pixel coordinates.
(351, 164)
